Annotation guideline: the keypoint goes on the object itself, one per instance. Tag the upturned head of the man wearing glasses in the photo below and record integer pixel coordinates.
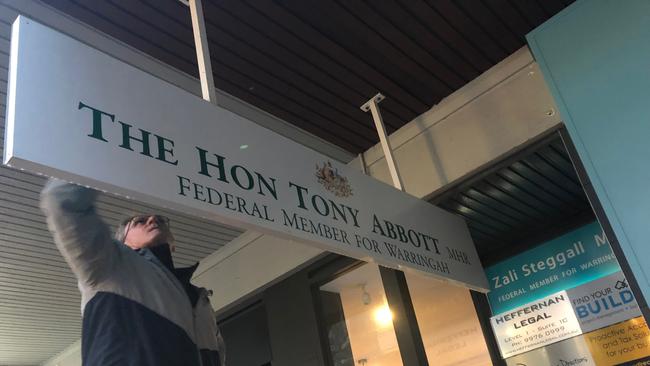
(147, 231)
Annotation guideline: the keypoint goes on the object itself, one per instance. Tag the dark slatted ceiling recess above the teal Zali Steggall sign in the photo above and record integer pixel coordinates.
(534, 197)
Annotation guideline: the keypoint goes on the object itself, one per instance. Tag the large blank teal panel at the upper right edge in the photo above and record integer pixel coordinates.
(594, 57)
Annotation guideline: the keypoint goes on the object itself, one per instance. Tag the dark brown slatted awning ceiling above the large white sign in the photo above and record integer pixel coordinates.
(313, 62)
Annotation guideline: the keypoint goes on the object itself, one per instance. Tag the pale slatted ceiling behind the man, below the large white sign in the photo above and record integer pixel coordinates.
(39, 299)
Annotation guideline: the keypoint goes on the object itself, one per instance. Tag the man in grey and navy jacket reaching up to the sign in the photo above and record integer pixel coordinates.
(138, 309)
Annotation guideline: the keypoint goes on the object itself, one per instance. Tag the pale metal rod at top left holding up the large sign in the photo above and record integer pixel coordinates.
(202, 51)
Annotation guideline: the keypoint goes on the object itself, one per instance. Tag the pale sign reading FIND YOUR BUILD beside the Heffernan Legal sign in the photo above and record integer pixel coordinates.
(603, 302)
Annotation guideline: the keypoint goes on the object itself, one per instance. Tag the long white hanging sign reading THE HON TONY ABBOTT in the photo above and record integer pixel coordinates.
(79, 114)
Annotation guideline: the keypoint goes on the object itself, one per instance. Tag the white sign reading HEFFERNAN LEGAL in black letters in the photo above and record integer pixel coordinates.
(536, 324)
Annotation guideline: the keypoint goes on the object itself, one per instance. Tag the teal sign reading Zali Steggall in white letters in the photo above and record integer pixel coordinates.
(568, 261)
